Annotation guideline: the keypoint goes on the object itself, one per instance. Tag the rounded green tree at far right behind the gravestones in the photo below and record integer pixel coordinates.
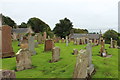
(110, 34)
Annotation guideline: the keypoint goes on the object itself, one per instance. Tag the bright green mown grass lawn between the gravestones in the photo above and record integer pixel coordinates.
(105, 67)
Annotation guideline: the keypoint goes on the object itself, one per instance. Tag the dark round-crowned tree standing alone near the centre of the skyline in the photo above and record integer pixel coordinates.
(63, 28)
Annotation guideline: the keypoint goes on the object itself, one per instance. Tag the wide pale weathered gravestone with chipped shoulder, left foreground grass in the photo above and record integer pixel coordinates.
(23, 60)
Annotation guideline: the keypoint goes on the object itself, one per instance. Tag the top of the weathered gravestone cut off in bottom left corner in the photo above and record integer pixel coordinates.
(7, 75)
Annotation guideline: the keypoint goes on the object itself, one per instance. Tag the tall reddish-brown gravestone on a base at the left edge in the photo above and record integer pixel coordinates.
(6, 42)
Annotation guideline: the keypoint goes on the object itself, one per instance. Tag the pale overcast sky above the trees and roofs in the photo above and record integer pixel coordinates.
(94, 15)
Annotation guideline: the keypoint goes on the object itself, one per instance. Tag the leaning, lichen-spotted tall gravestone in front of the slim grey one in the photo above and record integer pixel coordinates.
(80, 70)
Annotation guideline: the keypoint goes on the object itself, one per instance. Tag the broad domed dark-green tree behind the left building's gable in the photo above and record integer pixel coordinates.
(38, 25)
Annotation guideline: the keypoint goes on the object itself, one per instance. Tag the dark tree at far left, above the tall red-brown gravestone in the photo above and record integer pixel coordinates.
(8, 21)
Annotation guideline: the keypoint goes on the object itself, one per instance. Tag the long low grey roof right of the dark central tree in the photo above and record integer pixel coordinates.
(90, 36)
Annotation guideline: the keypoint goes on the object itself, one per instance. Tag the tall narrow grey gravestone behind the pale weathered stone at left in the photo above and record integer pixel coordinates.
(31, 45)
